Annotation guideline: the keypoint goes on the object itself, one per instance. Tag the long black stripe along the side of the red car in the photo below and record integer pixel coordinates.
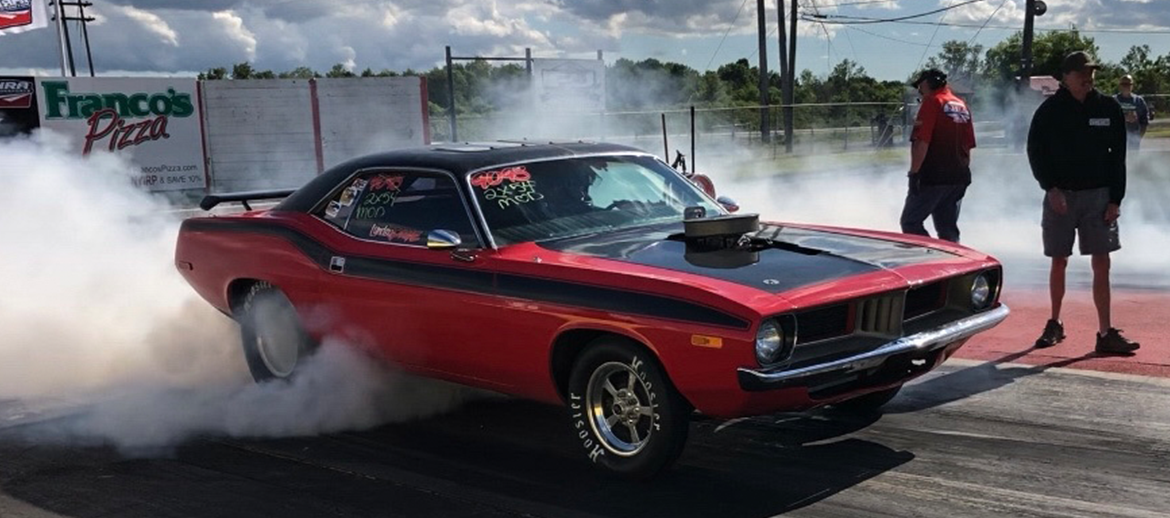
(508, 285)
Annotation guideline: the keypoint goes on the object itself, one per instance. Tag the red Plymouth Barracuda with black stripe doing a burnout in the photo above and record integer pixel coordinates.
(591, 277)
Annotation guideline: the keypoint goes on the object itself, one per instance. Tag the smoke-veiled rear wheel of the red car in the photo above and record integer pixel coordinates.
(274, 340)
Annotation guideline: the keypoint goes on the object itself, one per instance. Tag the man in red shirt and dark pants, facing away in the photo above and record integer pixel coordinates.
(940, 160)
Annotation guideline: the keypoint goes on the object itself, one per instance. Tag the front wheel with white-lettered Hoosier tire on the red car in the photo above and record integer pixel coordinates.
(629, 417)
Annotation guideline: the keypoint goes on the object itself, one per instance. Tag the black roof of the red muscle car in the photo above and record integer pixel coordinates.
(458, 158)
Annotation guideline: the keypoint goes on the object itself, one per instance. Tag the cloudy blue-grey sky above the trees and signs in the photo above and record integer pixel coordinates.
(164, 37)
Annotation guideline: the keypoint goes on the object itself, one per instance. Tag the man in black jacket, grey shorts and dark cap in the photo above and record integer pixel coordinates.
(1077, 148)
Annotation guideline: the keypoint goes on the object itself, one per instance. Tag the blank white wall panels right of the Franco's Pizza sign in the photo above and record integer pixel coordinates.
(260, 134)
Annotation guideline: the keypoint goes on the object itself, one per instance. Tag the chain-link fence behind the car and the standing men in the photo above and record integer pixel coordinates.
(818, 129)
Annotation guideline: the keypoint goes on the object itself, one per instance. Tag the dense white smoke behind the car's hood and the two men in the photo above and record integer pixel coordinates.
(1001, 211)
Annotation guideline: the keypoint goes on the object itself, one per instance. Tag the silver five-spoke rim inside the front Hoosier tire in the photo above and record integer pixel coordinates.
(621, 408)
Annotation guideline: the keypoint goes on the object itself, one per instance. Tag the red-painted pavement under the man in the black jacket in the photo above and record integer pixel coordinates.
(1143, 316)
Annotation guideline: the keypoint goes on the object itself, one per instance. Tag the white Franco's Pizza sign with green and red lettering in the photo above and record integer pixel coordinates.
(154, 122)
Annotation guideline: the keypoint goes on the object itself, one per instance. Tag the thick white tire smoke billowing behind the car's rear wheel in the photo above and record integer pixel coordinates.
(102, 342)
